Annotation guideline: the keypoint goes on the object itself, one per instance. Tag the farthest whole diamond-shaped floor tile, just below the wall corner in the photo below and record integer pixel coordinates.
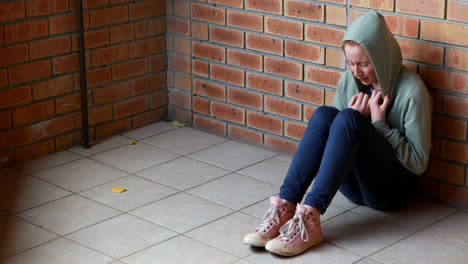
(184, 140)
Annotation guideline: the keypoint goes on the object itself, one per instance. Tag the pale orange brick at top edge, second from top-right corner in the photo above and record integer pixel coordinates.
(431, 8)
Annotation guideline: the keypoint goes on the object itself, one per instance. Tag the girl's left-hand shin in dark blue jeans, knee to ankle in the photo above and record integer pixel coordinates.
(308, 155)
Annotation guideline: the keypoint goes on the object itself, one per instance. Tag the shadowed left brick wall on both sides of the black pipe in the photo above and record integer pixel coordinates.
(39, 72)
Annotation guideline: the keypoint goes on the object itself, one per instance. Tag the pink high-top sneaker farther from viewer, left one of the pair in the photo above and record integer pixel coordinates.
(278, 214)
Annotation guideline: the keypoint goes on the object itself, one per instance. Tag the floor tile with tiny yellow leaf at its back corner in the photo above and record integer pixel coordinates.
(133, 158)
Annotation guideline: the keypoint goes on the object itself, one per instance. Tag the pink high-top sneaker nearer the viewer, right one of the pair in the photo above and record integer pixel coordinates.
(298, 234)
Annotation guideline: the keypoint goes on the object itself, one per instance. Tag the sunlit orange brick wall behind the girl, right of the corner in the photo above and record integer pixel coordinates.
(255, 70)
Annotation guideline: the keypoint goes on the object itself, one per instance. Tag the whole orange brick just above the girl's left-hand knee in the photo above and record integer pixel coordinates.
(304, 93)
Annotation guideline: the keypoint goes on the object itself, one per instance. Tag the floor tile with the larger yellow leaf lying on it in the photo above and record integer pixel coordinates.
(139, 192)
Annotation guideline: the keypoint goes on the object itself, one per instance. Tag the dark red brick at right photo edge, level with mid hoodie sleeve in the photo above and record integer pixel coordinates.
(449, 127)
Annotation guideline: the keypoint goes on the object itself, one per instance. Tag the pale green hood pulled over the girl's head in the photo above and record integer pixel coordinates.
(372, 33)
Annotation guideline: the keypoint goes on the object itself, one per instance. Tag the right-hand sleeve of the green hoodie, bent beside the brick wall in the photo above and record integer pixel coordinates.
(412, 146)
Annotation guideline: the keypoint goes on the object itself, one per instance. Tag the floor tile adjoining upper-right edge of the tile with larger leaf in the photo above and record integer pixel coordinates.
(183, 173)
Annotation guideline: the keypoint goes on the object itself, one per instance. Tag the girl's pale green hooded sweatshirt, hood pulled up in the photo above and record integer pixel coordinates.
(407, 125)
